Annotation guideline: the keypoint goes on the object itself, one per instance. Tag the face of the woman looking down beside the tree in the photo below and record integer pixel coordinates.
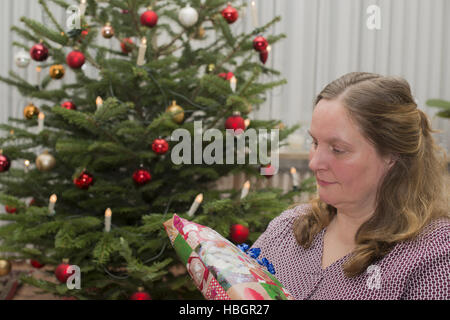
(341, 155)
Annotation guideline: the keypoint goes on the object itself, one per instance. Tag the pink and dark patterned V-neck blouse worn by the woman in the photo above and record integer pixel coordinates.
(415, 269)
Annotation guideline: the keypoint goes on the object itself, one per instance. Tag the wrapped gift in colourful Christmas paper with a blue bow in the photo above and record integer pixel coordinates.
(221, 270)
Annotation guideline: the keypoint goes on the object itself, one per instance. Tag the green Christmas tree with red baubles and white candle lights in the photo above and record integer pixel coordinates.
(104, 180)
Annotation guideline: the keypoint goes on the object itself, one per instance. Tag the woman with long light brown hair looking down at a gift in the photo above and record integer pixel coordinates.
(379, 227)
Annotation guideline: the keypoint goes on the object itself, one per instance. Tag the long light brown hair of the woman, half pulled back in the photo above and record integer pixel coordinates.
(412, 193)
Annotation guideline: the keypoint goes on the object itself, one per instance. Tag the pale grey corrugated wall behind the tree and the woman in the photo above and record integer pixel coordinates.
(325, 39)
